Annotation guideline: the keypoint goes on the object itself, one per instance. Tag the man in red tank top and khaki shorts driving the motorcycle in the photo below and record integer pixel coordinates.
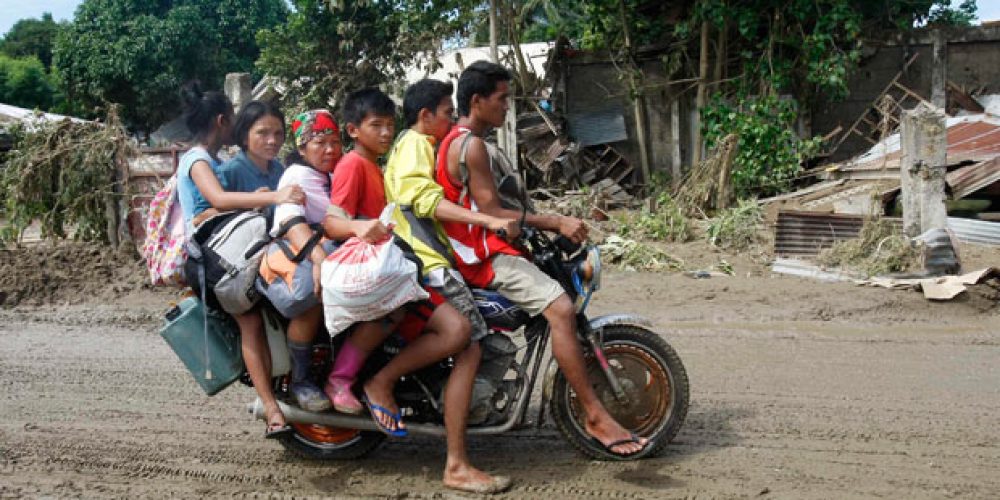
(487, 261)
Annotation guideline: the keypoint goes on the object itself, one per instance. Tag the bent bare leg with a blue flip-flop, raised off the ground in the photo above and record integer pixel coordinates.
(447, 333)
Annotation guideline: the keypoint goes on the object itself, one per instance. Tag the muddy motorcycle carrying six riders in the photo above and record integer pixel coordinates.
(637, 375)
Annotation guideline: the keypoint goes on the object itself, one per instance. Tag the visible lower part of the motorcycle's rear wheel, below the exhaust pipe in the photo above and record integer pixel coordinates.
(319, 442)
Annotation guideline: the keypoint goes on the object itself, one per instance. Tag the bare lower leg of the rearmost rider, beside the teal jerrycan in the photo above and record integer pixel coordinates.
(257, 358)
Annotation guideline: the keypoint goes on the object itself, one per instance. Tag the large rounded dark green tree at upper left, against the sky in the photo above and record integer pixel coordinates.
(138, 53)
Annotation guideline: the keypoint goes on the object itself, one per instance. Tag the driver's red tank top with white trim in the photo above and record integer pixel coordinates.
(473, 245)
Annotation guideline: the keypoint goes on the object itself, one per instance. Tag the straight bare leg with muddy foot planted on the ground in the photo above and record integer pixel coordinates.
(458, 471)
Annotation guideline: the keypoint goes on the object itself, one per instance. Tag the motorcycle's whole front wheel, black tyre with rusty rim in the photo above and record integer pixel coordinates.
(654, 379)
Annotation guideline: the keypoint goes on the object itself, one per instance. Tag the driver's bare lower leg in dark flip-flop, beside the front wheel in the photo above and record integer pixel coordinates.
(566, 349)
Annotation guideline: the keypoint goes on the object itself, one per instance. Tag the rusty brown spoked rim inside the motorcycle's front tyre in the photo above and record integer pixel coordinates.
(646, 381)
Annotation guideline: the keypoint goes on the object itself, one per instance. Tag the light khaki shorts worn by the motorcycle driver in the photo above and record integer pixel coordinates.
(522, 283)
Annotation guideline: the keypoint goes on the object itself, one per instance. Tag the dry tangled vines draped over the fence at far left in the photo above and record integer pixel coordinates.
(64, 175)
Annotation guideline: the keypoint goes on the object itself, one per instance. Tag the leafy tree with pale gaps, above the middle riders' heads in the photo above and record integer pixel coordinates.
(330, 47)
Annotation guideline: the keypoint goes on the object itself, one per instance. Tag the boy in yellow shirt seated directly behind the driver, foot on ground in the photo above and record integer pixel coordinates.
(409, 182)
